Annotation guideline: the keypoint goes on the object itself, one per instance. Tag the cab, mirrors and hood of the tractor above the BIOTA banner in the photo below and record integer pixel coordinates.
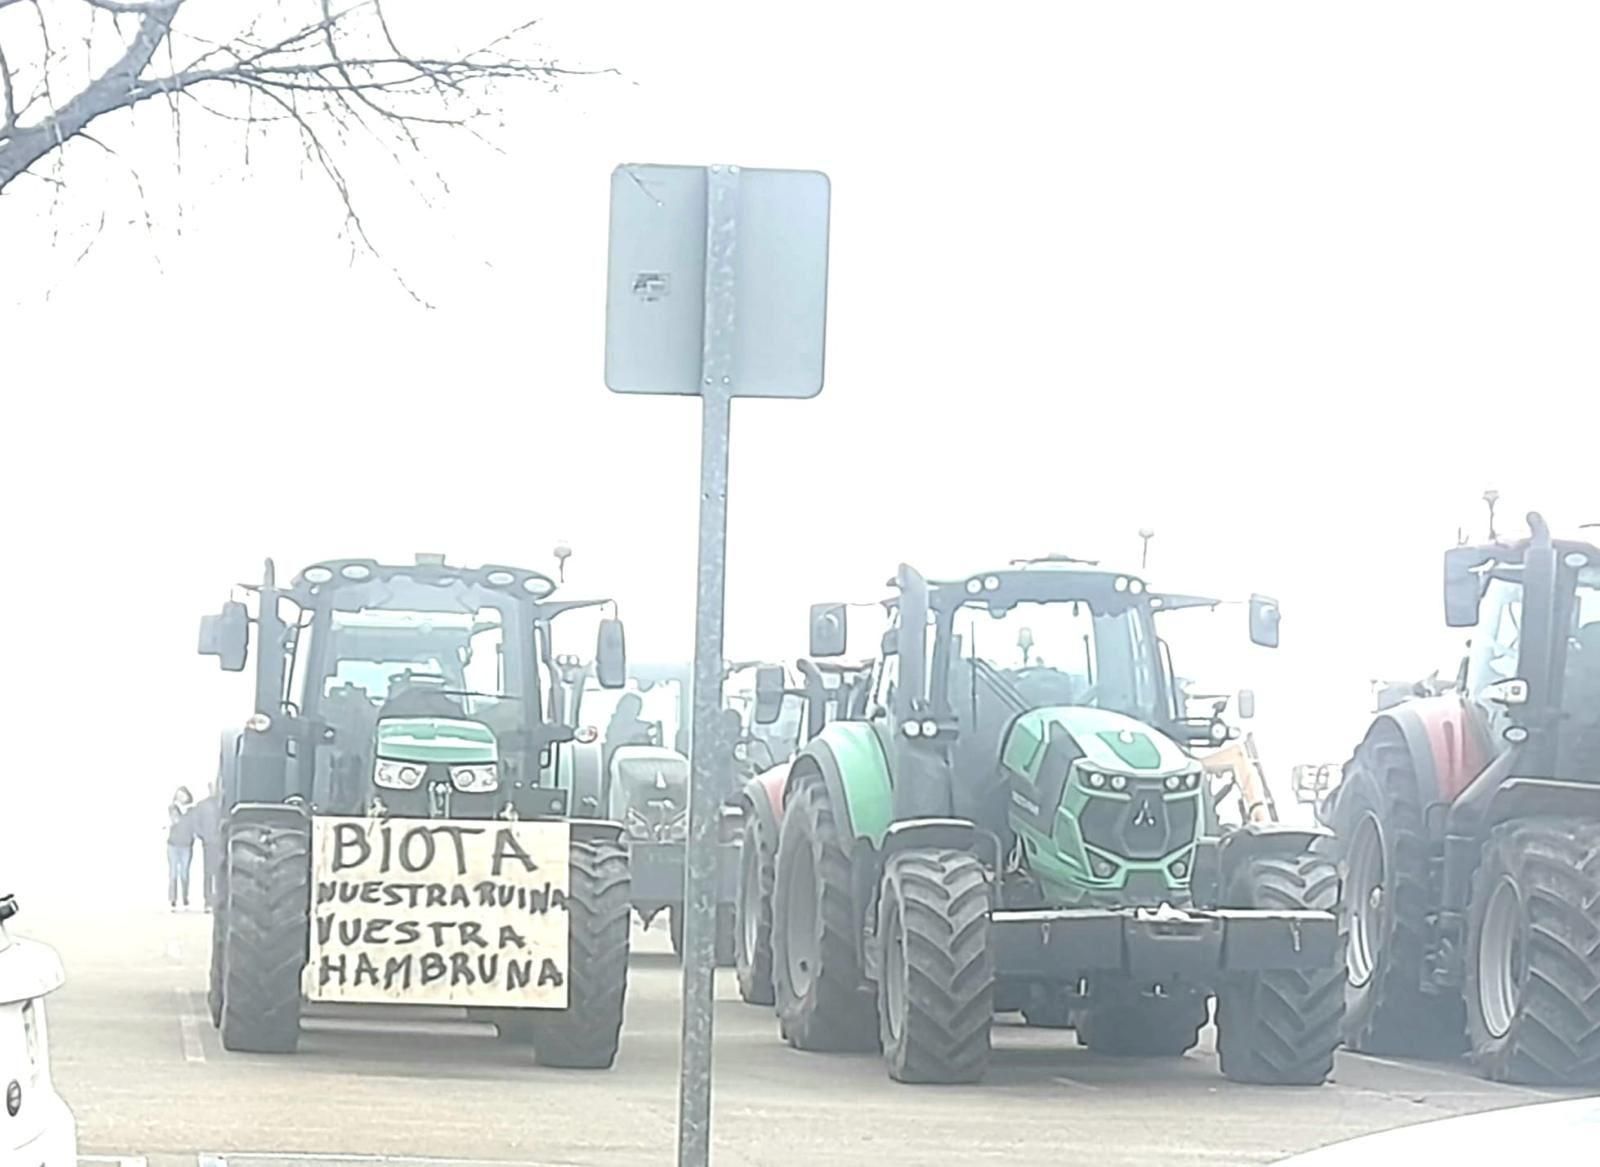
(414, 691)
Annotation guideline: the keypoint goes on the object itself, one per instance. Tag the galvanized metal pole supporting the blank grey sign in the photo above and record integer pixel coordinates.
(710, 750)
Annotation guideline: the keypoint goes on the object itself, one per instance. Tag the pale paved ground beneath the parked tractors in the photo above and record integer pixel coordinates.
(142, 1065)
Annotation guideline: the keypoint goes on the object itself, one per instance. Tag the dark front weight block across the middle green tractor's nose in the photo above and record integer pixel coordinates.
(1196, 947)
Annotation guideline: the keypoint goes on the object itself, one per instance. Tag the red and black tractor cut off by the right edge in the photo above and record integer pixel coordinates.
(1468, 828)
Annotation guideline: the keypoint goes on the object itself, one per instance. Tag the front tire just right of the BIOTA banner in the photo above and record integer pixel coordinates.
(586, 1033)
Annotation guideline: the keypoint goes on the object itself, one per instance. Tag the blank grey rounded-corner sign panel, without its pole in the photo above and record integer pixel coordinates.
(657, 281)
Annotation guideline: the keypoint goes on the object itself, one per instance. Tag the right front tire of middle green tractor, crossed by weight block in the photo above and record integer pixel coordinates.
(1282, 1027)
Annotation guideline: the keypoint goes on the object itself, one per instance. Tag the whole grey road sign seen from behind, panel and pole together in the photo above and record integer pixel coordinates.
(719, 289)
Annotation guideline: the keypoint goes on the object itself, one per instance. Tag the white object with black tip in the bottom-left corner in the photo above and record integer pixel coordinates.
(36, 1126)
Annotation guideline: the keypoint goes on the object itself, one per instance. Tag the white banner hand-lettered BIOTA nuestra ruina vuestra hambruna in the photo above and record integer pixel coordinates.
(439, 912)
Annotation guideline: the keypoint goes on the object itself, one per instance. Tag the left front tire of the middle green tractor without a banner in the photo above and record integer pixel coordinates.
(937, 972)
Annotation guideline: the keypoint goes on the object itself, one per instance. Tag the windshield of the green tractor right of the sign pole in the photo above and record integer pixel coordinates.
(1065, 652)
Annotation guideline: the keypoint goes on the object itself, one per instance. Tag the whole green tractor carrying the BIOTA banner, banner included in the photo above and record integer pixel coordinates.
(401, 822)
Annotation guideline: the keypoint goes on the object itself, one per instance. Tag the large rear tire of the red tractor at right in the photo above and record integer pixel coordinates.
(1383, 859)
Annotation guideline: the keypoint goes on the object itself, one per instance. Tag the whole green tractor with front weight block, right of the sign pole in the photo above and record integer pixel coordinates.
(1009, 822)
